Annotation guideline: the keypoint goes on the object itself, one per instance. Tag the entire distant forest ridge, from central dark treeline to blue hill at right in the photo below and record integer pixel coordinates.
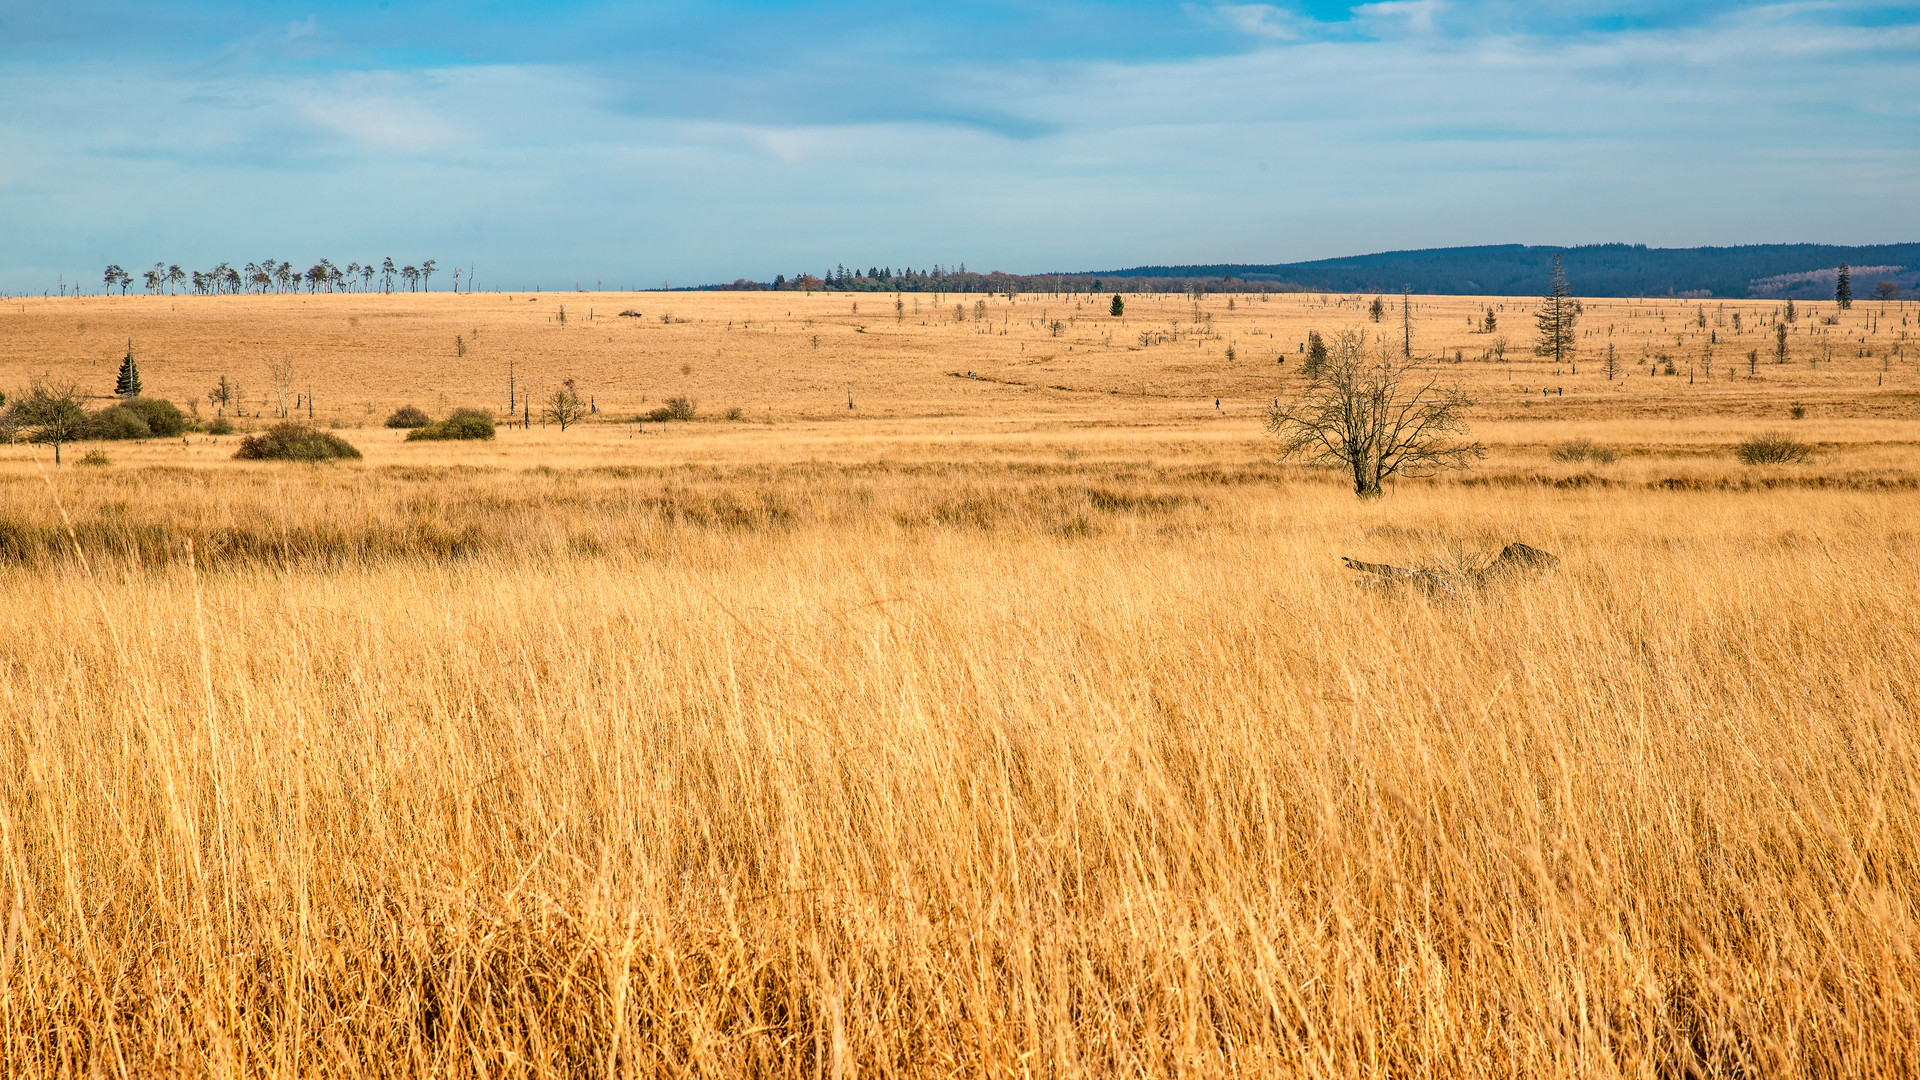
(1767, 272)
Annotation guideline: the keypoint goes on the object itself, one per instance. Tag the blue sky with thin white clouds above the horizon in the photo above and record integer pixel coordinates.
(690, 143)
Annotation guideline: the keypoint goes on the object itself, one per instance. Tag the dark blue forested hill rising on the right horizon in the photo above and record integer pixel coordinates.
(1598, 270)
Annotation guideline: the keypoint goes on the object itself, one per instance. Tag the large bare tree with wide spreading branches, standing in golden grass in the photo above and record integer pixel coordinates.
(1376, 416)
